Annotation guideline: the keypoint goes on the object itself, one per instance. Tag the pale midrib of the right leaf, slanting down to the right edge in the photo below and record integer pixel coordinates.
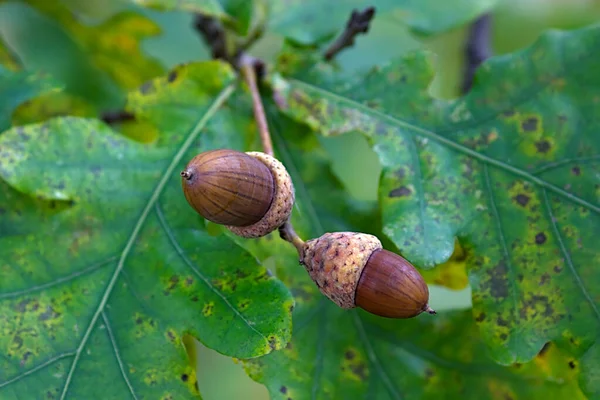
(449, 143)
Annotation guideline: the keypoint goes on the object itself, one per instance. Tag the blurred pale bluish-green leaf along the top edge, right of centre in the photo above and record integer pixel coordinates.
(313, 21)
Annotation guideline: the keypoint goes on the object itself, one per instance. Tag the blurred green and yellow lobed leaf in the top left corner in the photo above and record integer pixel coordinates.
(95, 62)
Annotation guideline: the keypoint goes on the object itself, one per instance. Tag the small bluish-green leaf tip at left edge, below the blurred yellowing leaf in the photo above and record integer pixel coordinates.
(18, 87)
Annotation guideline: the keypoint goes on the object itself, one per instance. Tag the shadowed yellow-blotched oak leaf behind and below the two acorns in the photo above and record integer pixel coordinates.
(337, 354)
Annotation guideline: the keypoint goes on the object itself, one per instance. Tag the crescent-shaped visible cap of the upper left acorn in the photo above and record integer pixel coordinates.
(281, 206)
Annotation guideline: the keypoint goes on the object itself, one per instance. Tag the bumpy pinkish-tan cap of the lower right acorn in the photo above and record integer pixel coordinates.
(335, 262)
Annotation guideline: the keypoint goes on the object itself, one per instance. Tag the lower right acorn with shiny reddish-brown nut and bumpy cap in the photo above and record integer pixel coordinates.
(353, 270)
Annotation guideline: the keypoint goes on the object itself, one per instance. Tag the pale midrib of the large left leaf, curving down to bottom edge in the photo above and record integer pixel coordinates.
(221, 98)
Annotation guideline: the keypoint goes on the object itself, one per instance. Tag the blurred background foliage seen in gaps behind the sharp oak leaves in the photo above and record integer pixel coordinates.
(58, 36)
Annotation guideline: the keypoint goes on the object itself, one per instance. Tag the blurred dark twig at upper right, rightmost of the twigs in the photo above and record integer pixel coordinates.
(477, 49)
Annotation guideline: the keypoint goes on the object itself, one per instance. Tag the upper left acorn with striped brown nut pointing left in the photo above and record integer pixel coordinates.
(250, 193)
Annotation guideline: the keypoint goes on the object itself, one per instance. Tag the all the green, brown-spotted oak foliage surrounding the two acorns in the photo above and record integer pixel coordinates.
(106, 273)
